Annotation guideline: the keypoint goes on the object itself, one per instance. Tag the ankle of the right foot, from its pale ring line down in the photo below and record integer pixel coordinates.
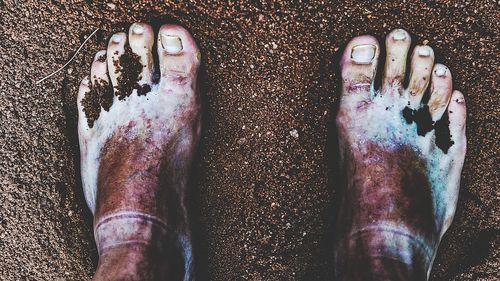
(384, 247)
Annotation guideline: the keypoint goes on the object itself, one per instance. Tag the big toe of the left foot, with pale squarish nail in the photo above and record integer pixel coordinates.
(178, 54)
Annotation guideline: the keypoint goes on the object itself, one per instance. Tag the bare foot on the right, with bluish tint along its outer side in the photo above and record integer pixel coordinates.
(402, 154)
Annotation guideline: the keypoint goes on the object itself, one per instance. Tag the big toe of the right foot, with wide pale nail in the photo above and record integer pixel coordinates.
(359, 65)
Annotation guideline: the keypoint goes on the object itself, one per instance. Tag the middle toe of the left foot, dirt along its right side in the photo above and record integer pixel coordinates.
(116, 48)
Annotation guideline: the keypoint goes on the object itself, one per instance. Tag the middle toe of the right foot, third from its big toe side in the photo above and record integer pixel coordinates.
(422, 62)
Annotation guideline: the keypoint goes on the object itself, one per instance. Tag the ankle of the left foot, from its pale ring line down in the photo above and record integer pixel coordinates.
(131, 246)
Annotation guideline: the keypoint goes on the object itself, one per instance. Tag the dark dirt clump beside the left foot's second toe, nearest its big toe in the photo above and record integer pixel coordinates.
(128, 80)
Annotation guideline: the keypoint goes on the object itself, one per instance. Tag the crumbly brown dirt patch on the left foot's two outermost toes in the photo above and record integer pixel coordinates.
(100, 95)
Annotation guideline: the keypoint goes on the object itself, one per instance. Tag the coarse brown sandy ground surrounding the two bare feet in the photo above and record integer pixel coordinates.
(262, 198)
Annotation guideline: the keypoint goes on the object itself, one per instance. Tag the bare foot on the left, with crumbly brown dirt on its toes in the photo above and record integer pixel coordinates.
(137, 139)
